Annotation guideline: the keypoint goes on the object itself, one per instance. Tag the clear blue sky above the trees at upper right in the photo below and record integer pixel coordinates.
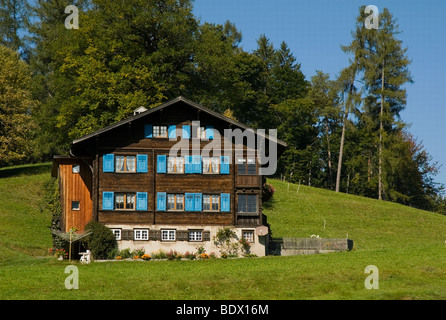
(315, 29)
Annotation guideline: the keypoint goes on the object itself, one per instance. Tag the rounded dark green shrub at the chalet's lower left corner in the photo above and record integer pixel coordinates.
(101, 241)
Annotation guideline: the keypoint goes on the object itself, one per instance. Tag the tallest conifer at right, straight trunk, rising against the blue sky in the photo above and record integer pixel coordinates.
(385, 74)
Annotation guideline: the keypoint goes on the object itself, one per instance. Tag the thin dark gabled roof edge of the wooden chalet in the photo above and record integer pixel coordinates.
(163, 106)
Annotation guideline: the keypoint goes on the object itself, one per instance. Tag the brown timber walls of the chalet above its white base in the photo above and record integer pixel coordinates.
(127, 139)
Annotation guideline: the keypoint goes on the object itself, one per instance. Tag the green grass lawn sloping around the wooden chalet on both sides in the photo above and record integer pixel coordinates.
(407, 245)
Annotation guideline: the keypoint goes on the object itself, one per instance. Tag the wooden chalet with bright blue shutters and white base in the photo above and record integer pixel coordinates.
(125, 177)
